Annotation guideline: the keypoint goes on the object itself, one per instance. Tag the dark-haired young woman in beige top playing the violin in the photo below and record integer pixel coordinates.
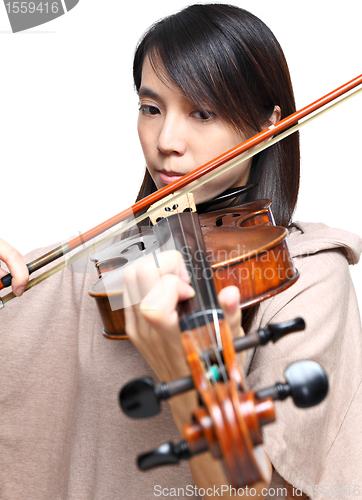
(207, 78)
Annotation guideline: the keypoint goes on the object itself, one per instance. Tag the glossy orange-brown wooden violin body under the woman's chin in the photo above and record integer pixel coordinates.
(243, 248)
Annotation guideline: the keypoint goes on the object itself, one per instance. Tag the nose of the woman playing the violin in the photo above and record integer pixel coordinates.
(172, 136)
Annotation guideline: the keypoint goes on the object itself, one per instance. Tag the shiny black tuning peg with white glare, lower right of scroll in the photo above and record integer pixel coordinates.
(307, 384)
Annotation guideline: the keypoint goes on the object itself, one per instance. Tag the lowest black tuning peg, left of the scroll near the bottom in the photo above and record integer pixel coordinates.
(166, 454)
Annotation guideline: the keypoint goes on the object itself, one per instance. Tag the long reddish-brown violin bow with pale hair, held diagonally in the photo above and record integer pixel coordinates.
(198, 177)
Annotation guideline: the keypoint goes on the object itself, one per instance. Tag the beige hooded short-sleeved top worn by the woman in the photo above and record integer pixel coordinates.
(63, 436)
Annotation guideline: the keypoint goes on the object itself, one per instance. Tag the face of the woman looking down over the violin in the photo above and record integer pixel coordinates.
(177, 137)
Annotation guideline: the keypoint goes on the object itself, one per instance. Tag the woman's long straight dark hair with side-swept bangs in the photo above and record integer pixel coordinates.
(224, 58)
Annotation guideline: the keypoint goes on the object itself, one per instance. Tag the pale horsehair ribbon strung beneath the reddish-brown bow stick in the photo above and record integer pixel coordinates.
(198, 183)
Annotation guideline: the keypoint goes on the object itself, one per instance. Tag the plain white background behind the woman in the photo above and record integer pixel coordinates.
(69, 150)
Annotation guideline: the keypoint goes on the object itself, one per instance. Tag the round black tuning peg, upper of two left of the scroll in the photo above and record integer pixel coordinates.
(140, 398)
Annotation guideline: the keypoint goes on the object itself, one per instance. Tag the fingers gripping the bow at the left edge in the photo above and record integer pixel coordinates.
(17, 267)
